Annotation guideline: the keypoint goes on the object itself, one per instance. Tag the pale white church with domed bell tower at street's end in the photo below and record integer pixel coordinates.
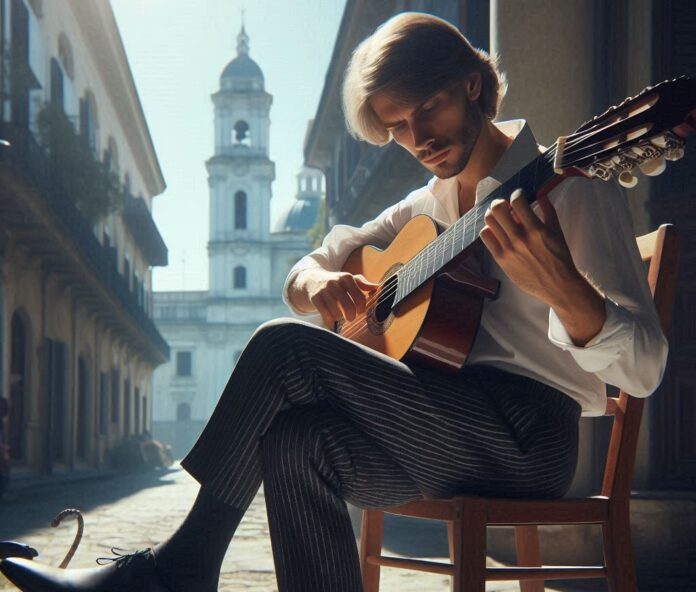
(248, 262)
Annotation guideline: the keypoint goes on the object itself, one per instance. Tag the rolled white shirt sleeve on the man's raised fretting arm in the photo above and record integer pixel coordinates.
(630, 352)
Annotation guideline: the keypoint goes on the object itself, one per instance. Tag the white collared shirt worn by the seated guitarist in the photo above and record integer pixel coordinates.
(518, 332)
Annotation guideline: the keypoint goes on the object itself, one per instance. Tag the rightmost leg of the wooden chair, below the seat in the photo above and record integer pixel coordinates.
(618, 550)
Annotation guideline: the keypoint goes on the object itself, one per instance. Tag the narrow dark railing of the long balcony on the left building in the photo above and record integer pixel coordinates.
(28, 156)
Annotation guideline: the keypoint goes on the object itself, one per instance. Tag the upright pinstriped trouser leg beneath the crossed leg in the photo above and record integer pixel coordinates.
(313, 460)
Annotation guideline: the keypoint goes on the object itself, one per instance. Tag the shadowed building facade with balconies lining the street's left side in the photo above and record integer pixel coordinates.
(78, 345)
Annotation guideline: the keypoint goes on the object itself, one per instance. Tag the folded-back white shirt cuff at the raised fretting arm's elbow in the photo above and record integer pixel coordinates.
(603, 349)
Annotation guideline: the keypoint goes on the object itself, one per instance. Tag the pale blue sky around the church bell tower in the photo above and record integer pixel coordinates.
(177, 50)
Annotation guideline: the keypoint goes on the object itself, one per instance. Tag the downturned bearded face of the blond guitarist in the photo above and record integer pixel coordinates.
(440, 132)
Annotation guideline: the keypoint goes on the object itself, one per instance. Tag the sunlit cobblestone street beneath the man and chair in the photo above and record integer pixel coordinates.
(138, 510)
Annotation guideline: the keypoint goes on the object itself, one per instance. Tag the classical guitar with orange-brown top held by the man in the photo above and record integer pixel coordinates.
(430, 298)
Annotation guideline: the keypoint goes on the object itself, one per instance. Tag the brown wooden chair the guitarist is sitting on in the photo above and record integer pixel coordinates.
(468, 517)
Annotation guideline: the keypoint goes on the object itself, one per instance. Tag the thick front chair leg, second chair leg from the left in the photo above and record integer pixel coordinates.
(468, 547)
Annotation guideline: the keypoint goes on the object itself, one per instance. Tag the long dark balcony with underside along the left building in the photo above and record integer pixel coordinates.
(67, 237)
